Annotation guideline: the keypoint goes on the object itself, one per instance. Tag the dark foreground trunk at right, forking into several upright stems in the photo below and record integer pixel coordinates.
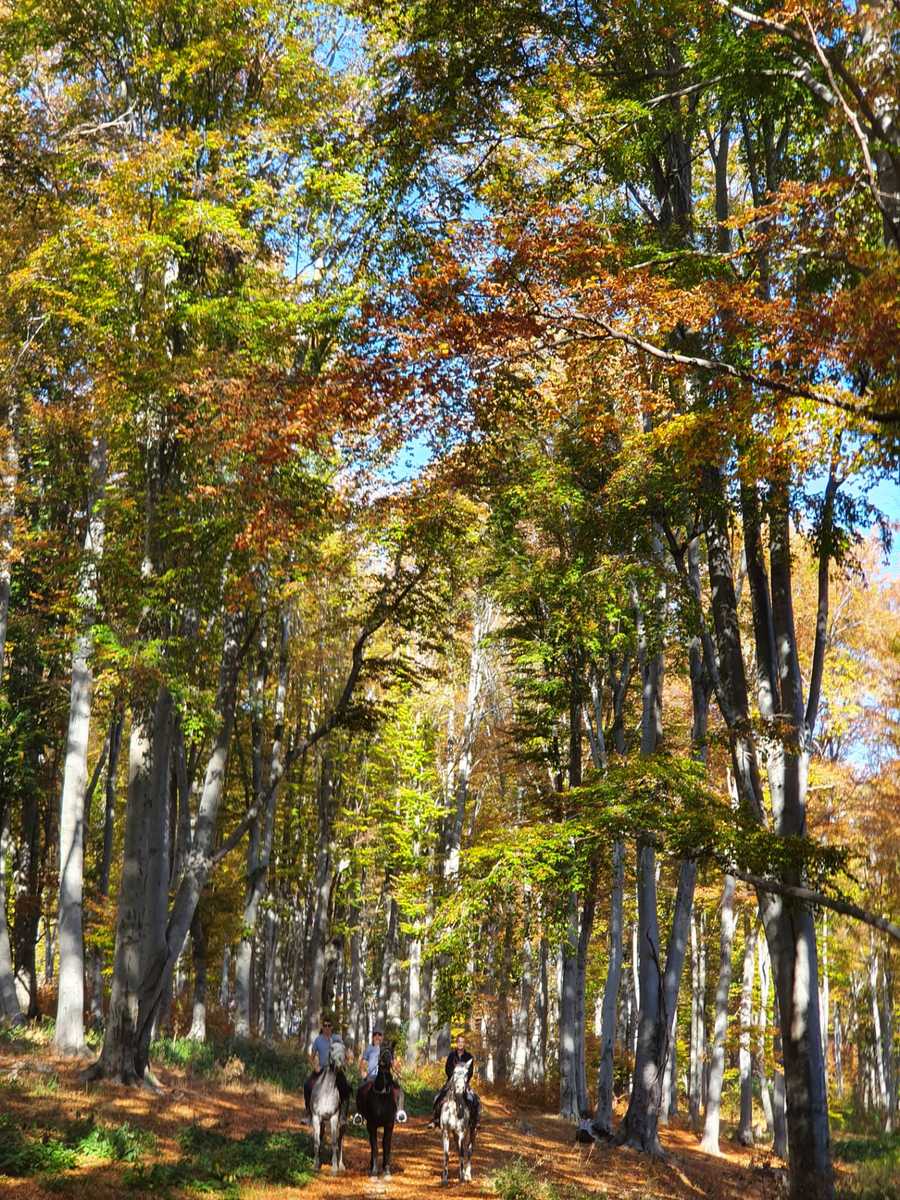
(790, 926)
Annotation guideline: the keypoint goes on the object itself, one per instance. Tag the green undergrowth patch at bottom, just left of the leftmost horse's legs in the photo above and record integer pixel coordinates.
(211, 1162)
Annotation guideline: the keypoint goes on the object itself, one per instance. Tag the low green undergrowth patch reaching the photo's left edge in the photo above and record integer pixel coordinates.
(51, 1151)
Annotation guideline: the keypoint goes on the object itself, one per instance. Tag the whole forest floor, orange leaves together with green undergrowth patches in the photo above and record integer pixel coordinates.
(230, 1136)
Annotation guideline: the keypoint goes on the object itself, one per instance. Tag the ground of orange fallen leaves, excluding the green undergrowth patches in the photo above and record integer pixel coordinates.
(511, 1130)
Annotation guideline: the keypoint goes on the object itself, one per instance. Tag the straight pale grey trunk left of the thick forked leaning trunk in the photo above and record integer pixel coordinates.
(69, 1037)
